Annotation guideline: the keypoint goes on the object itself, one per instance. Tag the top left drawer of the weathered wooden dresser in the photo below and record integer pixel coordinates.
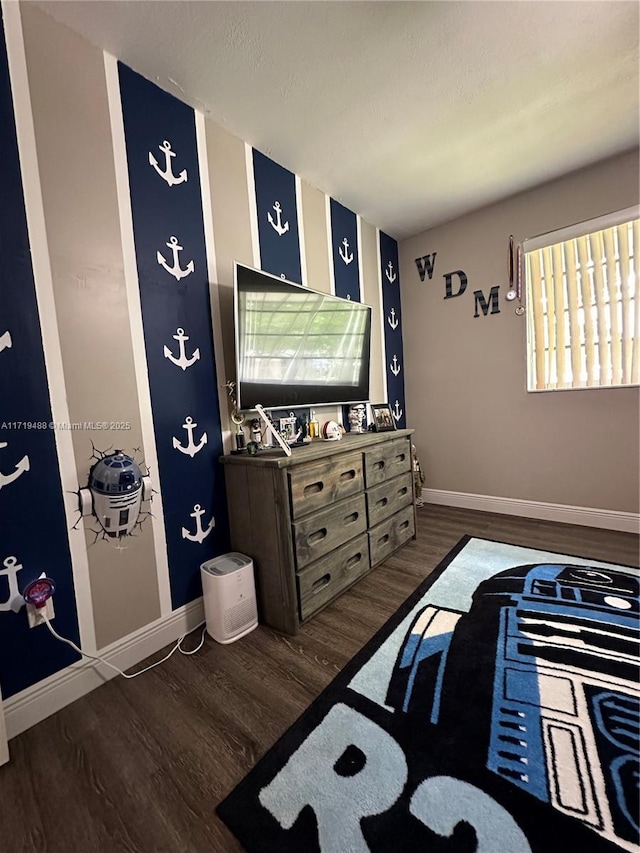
(320, 484)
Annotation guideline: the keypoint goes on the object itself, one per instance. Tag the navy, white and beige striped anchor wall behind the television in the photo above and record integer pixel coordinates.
(146, 204)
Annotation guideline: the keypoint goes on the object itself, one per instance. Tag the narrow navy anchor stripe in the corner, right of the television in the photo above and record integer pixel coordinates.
(392, 327)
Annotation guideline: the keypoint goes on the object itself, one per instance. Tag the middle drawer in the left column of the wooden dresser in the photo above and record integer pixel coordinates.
(317, 534)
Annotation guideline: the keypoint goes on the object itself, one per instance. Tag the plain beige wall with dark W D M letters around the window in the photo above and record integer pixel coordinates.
(477, 429)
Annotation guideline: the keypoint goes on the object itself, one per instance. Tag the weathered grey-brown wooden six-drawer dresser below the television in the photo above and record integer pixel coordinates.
(318, 520)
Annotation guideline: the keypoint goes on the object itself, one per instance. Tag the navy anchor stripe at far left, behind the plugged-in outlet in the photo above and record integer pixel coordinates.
(34, 526)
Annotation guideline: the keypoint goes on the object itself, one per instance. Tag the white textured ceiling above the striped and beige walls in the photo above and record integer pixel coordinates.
(409, 113)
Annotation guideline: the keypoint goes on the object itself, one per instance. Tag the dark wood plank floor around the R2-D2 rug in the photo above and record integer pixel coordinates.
(140, 765)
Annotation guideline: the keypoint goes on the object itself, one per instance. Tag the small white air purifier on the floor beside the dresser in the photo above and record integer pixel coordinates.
(229, 594)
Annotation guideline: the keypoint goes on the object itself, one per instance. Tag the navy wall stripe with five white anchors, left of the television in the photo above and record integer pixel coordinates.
(168, 227)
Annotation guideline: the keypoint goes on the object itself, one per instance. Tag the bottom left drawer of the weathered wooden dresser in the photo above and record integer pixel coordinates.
(324, 579)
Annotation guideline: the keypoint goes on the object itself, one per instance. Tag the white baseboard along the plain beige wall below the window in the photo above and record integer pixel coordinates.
(629, 522)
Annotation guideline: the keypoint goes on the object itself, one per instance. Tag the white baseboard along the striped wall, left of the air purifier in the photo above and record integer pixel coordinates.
(38, 702)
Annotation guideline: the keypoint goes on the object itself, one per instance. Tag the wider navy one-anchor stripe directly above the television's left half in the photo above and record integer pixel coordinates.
(276, 204)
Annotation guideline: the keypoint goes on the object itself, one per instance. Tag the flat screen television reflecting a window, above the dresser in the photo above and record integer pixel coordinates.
(296, 346)
